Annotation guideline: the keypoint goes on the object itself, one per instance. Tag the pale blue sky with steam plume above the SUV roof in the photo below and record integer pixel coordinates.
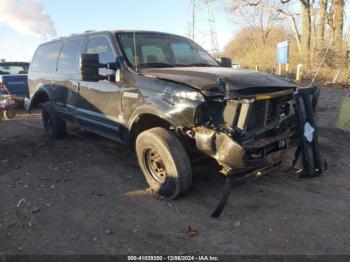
(24, 24)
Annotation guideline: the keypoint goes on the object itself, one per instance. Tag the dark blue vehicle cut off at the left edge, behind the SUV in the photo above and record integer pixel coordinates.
(14, 76)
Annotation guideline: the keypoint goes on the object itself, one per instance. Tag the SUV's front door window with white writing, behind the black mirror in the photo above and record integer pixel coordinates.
(100, 45)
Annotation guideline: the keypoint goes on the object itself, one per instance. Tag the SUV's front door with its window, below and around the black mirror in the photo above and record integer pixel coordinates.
(99, 103)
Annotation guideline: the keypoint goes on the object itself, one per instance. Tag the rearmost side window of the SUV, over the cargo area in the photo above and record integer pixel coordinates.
(45, 58)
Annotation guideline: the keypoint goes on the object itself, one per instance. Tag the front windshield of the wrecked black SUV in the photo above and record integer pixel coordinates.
(162, 50)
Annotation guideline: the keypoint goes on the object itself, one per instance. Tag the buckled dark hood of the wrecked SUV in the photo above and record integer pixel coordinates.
(221, 80)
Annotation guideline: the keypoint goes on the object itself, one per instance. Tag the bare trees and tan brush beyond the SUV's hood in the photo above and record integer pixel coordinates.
(315, 30)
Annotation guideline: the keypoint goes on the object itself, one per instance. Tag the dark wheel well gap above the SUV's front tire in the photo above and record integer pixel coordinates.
(145, 122)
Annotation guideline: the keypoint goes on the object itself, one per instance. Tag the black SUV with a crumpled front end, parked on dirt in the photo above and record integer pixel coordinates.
(166, 97)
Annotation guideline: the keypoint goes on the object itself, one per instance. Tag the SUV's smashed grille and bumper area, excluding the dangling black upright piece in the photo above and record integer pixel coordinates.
(249, 131)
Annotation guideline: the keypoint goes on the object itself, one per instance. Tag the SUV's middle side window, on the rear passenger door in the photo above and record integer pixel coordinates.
(69, 57)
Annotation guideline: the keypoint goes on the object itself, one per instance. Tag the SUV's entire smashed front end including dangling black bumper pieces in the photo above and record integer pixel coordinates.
(249, 135)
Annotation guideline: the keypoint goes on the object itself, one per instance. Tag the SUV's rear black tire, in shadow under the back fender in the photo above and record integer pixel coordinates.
(54, 125)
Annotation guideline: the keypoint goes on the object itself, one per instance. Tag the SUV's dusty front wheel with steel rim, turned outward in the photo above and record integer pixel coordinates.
(170, 173)
